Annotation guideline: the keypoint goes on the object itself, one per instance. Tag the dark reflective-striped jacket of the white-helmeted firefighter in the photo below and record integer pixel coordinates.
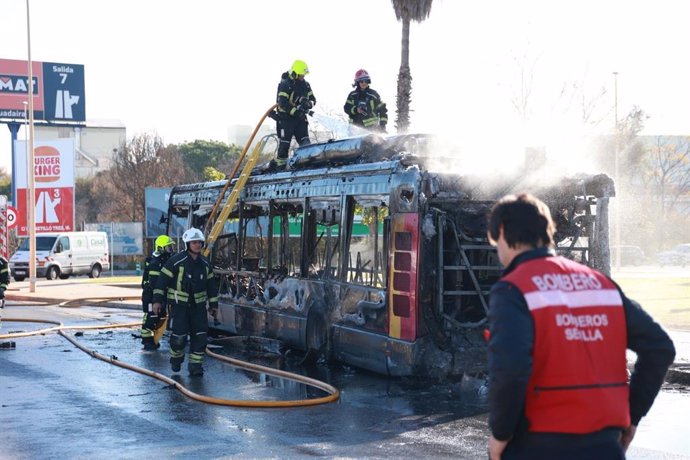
(187, 281)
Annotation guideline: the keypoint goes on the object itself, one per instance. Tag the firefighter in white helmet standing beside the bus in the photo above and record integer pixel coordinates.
(187, 284)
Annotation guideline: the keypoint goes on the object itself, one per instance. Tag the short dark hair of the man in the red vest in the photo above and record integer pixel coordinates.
(525, 219)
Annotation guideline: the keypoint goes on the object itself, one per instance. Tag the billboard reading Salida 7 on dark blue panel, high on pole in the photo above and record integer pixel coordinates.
(57, 89)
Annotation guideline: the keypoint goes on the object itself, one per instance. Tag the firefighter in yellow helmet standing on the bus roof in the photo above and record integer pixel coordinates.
(295, 100)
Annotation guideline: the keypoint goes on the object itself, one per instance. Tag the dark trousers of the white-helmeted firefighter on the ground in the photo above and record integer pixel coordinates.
(188, 321)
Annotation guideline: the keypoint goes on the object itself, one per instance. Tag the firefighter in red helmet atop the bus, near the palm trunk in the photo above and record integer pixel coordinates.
(364, 105)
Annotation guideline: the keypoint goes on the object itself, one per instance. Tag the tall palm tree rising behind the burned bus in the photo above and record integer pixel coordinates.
(406, 11)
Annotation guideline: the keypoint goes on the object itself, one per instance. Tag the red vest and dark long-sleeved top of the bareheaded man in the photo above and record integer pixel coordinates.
(557, 363)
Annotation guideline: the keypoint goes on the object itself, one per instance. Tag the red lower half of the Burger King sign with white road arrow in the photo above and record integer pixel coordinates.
(54, 210)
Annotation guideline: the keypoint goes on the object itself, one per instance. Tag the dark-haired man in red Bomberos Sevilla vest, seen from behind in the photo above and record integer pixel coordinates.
(558, 382)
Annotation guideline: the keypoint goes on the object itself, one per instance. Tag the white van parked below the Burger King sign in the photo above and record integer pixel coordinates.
(63, 254)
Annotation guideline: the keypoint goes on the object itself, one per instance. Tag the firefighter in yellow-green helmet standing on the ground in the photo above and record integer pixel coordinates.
(164, 246)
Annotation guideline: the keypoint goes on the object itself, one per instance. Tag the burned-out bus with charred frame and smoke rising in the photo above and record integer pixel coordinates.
(361, 252)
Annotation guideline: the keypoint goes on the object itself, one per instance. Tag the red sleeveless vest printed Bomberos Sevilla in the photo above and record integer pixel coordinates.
(579, 381)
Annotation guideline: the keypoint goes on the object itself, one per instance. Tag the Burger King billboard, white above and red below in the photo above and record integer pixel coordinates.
(53, 186)
